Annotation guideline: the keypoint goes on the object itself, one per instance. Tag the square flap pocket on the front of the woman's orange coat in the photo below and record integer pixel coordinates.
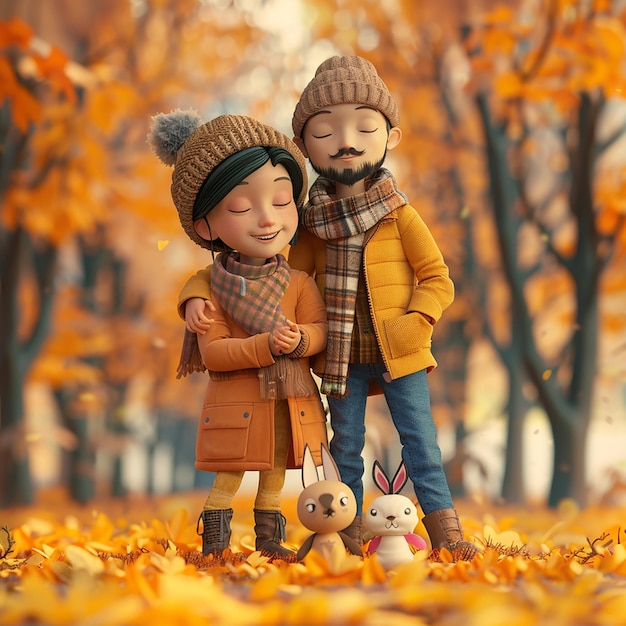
(224, 432)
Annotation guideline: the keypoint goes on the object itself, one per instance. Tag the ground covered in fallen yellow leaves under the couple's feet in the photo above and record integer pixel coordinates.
(139, 562)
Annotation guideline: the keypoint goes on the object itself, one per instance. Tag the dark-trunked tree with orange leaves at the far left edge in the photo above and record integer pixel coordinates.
(28, 251)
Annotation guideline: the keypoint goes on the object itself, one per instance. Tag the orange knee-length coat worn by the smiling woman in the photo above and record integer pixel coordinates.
(236, 428)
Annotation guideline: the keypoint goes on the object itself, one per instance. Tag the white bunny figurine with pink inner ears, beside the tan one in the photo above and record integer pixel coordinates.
(392, 518)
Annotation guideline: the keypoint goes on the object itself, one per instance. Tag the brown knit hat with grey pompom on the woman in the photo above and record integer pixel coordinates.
(195, 150)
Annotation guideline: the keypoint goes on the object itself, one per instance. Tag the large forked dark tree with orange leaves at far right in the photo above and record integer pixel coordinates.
(546, 88)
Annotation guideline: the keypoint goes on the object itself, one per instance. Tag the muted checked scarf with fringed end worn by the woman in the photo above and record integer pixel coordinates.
(251, 295)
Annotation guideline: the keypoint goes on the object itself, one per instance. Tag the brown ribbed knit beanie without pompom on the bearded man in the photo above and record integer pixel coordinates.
(342, 80)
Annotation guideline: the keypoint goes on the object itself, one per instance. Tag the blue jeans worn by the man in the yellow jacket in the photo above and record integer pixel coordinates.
(408, 399)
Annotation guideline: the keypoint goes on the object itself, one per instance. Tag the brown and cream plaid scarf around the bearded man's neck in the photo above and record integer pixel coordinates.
(343, 224)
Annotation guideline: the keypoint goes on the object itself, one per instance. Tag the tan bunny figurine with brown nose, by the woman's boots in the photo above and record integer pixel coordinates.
(326, 507)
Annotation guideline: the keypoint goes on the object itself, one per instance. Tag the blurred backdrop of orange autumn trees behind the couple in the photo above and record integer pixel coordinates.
(514, 152)
